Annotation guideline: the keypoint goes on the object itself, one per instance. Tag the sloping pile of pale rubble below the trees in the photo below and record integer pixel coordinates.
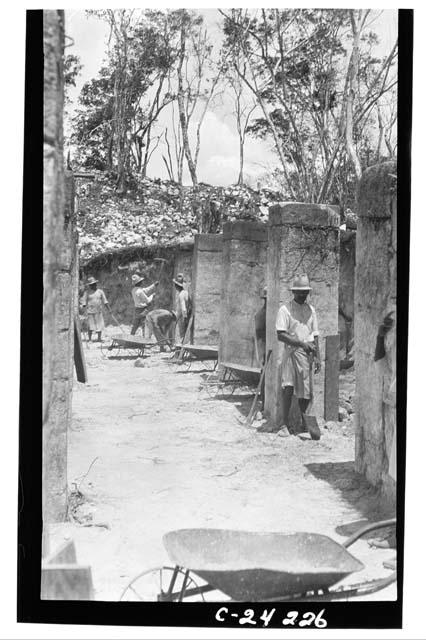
(159, 212)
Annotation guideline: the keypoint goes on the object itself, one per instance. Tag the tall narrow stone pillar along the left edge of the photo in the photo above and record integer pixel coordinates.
(55, 312)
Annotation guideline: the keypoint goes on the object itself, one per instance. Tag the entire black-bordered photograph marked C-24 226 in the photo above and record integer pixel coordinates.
(222, 312)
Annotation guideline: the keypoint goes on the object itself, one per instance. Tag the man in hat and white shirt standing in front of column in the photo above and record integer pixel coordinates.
(297, 330)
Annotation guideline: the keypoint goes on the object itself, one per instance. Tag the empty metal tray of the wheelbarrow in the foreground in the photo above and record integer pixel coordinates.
(252, 566)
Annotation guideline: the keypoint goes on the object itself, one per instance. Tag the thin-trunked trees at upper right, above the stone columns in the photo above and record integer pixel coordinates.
(315, 104)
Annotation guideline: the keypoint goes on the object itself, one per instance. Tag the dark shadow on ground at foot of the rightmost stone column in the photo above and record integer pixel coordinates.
(355, 490)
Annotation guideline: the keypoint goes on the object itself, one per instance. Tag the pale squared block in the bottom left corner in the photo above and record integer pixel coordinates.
(66, 582)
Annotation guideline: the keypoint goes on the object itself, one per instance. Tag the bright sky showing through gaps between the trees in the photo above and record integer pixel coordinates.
(219, 160)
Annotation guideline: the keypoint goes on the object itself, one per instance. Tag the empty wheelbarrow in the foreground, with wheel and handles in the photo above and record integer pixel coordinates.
(255, 567)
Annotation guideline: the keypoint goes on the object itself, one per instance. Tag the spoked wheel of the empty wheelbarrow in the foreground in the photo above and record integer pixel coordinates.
(155, 584)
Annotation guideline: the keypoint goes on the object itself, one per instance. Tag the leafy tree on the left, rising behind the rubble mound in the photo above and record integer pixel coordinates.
(113, 125)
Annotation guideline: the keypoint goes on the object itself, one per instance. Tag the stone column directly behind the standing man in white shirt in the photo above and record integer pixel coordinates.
(302, 238)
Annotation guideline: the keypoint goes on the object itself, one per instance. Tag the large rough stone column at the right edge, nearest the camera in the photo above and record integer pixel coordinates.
(375, 291)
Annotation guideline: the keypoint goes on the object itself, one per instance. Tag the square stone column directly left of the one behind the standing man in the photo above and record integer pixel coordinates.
(244, 276)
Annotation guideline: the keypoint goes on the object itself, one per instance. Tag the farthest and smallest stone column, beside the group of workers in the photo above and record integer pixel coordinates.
(207, 287)
